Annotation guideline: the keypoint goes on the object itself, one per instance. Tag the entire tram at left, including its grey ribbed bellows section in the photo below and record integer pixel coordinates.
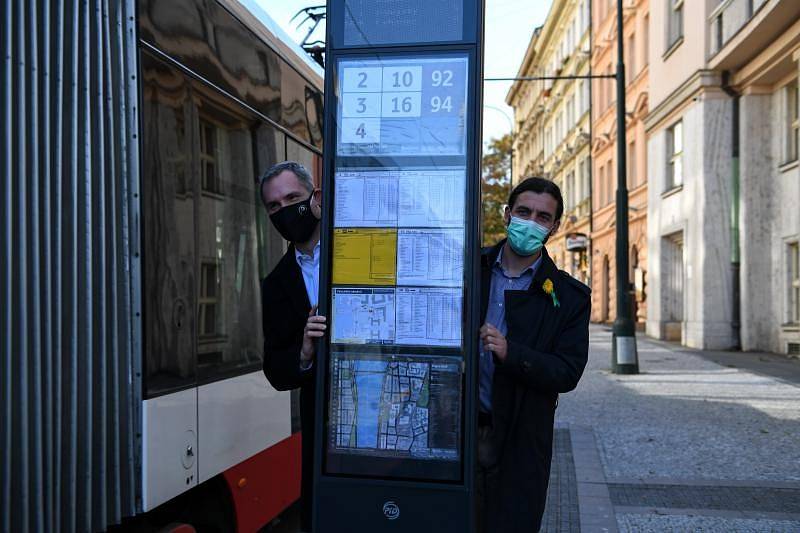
(145, 403)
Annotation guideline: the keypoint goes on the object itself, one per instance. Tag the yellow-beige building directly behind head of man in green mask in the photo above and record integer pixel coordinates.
(552, 124)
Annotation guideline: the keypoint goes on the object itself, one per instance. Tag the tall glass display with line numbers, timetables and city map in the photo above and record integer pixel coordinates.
(398, 247)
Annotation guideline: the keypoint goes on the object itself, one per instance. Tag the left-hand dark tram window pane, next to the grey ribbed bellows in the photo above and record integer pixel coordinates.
(167, 229)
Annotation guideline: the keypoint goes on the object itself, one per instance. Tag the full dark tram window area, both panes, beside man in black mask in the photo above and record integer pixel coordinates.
(206, 241)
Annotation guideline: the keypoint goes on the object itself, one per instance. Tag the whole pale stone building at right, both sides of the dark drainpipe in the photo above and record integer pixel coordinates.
(724, 183)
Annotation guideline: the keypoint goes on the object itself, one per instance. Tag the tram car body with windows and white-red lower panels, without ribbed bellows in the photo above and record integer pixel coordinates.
(223, 97)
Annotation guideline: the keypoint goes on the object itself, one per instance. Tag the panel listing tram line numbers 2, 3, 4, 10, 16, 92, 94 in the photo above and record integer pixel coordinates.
(402, 106)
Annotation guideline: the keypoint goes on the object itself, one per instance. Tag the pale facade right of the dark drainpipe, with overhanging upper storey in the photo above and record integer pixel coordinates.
(756, 45)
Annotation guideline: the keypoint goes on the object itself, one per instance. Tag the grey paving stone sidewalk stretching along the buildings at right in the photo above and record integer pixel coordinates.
(698, 441)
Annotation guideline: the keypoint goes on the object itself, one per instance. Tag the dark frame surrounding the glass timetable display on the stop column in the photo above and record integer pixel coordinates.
(471, 286)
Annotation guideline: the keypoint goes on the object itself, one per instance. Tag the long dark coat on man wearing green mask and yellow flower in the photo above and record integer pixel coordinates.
(547, 351)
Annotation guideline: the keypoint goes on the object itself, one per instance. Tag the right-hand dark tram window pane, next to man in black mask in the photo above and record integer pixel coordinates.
(229, 338)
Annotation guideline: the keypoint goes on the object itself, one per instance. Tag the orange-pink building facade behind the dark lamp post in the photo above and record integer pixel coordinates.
(636, 28)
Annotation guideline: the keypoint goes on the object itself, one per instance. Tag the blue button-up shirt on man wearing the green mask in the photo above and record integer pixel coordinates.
(496, 316)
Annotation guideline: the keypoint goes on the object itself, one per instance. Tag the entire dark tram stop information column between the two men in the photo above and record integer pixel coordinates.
(396, 378)
